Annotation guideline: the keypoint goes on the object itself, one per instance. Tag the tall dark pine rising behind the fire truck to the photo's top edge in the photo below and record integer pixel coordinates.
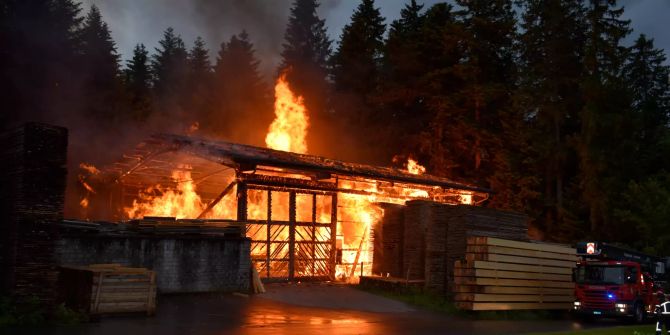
(603, 143)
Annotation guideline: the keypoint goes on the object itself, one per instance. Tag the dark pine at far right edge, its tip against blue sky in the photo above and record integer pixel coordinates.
(640, 209)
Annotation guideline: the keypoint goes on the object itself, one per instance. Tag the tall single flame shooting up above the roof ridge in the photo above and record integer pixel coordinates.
(288, 131)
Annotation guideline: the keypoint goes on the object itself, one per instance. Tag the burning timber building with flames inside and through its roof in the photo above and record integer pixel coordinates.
(308, 217)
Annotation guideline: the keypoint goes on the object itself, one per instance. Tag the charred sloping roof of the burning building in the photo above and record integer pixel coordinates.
(246, 158)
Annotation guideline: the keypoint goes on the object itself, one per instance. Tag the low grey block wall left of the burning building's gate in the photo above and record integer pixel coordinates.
(182, 264)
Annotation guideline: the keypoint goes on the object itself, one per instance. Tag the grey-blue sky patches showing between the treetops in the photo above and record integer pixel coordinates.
(143, 21)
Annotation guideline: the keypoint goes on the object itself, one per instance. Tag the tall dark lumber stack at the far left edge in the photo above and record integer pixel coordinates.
(32, 184)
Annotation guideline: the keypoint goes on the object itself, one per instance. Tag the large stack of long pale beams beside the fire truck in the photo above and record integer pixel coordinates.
(499, 274)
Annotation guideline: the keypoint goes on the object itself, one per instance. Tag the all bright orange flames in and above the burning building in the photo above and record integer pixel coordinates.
(357, 212)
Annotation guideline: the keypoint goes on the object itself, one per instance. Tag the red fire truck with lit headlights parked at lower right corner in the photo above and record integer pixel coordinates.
(615, 282)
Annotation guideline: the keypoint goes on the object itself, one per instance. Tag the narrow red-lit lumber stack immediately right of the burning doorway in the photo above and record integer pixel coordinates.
(391, 240)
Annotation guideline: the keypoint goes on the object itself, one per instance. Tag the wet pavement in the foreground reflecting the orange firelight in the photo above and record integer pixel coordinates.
(302, 310)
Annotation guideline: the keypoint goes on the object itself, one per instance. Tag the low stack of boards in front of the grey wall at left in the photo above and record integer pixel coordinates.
(100, 289)
